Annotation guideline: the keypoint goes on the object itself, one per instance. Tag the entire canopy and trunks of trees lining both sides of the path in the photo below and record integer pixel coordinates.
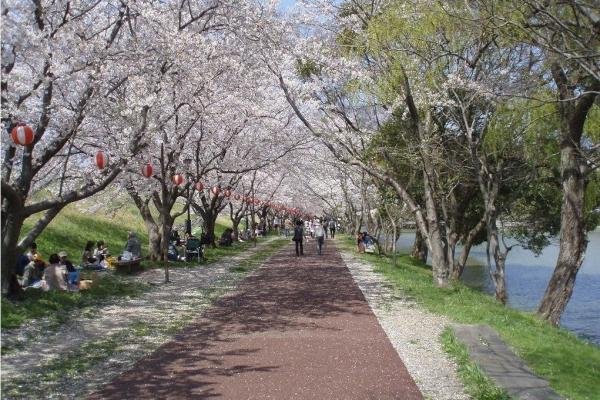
(458, 117)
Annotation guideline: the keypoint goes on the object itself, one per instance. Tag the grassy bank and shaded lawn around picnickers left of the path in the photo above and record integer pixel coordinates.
(70, 231)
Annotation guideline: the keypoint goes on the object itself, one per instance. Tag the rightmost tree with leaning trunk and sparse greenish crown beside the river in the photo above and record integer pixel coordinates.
(567, 33)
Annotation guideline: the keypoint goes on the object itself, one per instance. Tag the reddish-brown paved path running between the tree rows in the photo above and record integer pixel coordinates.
(298, 328)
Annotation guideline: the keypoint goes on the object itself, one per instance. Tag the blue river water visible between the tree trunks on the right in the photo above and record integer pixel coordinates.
(527, 277)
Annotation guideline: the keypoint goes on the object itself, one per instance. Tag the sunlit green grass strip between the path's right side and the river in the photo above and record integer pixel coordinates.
(571, 365)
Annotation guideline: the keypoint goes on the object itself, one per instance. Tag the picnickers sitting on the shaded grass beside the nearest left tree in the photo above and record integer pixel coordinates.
(59, 272)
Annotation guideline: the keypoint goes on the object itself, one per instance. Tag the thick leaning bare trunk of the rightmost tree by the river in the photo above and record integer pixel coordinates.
(573, 242)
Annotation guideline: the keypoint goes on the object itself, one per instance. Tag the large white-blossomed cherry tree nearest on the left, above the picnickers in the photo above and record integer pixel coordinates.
(65, 66)
